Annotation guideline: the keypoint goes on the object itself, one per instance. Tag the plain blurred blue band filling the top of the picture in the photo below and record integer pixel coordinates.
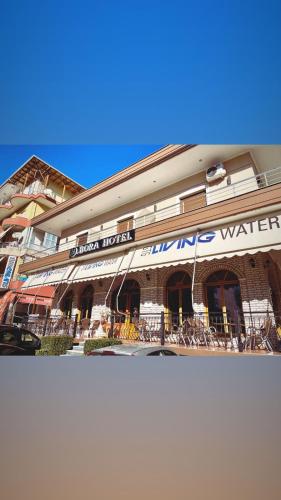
(110, 72)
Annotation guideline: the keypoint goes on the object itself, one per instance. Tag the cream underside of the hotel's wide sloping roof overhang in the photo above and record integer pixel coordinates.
(152, 174)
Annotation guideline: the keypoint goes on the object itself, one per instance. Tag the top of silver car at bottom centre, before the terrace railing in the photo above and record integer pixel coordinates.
(133, 350)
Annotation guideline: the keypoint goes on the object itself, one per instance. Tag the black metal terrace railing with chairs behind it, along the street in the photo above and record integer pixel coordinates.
(240, 331)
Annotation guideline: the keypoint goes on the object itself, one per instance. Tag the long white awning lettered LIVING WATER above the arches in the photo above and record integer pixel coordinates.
(249, 237)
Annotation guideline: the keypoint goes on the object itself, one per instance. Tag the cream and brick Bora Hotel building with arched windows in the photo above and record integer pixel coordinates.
(189, 229)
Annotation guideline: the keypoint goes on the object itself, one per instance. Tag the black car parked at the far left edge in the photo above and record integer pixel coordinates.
(15, 341)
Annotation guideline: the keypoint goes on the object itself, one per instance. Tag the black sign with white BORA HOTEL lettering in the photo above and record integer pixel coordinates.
(107, 242)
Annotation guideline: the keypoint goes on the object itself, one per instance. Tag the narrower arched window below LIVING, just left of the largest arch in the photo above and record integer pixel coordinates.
(179, 302)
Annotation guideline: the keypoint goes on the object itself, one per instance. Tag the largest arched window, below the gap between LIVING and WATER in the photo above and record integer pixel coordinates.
(224, 300)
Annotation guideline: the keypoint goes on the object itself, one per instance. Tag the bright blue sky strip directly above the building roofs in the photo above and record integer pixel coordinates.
(84, 164)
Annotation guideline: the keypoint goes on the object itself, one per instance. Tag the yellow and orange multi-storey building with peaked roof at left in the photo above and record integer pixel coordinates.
(33, 189)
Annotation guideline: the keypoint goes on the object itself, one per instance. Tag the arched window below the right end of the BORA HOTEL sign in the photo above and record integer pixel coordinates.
(129, 297)
